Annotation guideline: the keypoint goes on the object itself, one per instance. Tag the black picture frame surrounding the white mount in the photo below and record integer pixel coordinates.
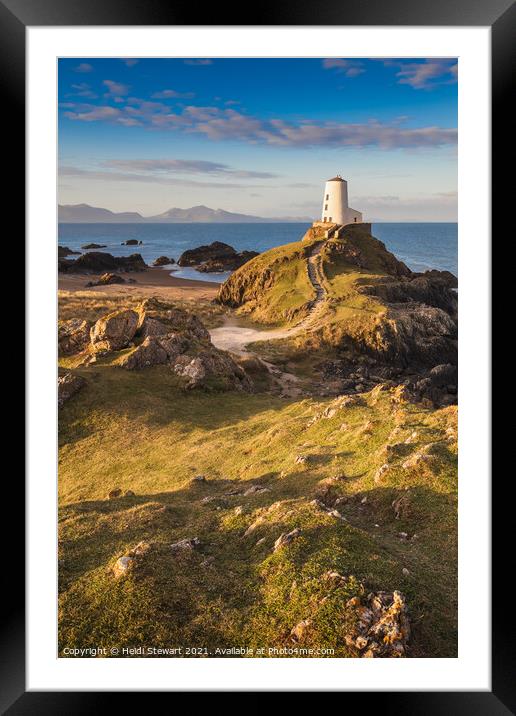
(15, 16)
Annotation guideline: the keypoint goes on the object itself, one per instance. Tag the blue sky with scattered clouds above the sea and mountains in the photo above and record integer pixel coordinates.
(260, 136)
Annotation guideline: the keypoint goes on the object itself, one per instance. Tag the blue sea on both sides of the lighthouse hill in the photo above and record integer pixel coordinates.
(422, 246)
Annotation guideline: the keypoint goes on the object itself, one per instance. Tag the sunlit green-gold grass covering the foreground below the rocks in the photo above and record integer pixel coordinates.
(140, 431)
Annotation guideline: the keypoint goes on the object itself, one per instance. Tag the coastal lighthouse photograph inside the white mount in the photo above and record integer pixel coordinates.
(257, 357)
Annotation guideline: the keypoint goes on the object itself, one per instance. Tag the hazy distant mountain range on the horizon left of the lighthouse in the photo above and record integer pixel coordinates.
(86, 214)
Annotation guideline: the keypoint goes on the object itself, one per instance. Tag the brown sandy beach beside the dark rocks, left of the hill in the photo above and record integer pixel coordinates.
(154, 281)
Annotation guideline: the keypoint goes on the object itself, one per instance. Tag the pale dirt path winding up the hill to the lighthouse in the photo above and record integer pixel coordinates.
(235, 337)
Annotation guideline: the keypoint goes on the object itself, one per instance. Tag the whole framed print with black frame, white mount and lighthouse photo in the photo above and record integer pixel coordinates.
(258, 267)
